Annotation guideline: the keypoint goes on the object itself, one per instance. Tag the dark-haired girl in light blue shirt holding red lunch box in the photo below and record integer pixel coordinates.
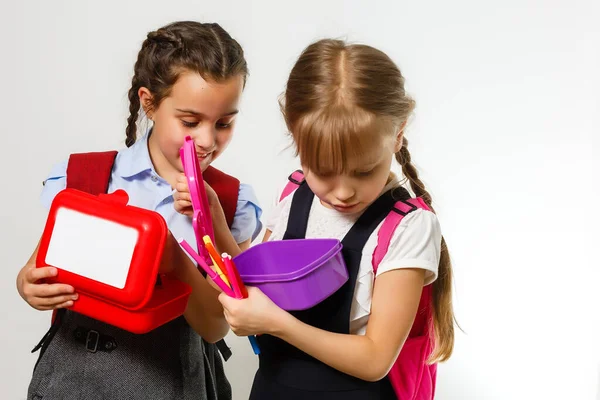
(188, 79)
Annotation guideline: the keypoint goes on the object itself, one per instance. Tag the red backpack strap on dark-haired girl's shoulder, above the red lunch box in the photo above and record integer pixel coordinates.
(90, 172)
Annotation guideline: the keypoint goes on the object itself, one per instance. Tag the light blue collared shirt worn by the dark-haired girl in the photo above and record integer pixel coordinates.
(133, 172)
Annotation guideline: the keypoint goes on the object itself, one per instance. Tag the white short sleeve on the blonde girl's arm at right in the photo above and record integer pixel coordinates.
(416, 243)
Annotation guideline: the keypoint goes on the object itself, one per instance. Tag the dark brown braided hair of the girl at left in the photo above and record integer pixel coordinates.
(206, 49)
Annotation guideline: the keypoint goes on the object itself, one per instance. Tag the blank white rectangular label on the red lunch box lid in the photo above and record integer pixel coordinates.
(92, 247)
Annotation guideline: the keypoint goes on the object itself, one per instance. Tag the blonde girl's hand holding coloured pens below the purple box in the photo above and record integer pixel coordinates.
(255, 315)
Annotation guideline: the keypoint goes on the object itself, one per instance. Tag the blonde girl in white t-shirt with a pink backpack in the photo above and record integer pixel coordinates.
(382, 333)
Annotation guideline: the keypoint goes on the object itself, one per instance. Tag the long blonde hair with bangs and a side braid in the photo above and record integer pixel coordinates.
(339, 100)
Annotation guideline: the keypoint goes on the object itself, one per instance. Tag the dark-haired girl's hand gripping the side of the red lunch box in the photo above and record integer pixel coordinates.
(43, 296)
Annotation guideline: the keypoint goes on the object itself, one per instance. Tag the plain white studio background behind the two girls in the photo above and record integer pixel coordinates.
(505, 134)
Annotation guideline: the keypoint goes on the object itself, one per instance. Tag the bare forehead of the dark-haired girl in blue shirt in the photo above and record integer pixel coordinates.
(192, 91)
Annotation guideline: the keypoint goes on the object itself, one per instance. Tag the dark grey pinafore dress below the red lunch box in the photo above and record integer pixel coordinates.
(82, 358)
